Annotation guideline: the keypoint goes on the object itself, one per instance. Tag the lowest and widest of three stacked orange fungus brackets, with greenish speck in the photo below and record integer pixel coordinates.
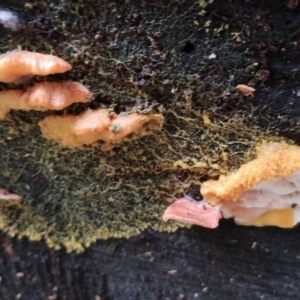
(93, 125)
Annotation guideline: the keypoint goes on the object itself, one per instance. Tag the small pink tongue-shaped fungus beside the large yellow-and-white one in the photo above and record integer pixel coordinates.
(192, 212)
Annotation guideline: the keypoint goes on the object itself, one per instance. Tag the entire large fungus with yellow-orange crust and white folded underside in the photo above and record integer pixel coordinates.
(263, 192)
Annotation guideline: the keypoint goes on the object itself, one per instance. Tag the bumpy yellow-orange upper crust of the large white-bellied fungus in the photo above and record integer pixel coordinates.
(274, 160)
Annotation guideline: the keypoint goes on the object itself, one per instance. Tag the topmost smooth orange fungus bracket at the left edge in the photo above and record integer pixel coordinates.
(17, 64)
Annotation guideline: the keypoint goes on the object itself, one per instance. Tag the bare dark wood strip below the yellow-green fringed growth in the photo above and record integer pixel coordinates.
(227, 263)
